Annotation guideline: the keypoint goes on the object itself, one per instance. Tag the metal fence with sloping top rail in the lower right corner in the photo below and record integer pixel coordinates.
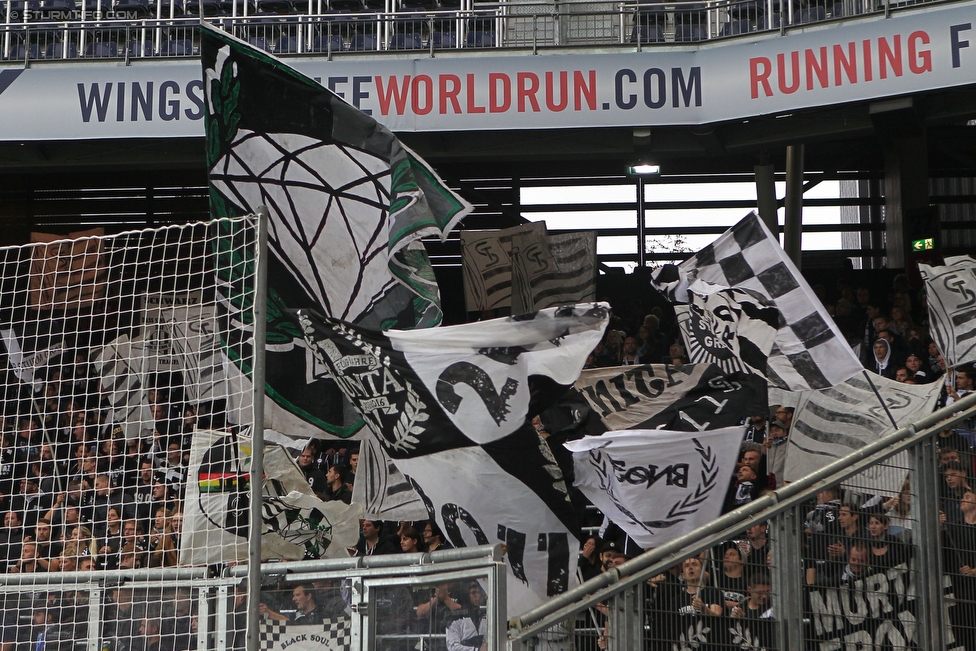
(874, 551)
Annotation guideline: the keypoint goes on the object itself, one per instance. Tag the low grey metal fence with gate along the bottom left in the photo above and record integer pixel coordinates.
(391, 602)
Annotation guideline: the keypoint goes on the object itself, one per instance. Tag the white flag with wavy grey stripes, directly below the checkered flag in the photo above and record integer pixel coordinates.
(832, 423)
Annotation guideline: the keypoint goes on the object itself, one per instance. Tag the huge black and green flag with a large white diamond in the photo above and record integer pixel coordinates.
(347, 204)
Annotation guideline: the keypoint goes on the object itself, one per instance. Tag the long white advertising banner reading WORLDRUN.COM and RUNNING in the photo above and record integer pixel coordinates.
(913, 51)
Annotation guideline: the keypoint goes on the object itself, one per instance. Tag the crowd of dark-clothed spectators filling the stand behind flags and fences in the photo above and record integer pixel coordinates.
(77, 494)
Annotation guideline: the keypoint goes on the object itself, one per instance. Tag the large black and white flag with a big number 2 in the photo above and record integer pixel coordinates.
(452, 408)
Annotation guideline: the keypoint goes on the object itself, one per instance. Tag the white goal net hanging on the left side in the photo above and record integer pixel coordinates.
(121, 353)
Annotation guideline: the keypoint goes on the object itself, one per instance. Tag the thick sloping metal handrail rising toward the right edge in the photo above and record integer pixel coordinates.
(657, 560)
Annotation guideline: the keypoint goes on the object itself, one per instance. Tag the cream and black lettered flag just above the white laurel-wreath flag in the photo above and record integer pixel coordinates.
(690, 397)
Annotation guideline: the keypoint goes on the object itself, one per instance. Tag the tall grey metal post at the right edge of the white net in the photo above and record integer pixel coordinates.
(259, 314)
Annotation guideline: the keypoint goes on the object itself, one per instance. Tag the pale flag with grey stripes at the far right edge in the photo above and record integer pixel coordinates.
(951, 295)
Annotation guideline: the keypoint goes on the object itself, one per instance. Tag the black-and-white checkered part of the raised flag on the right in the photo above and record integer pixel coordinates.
(809, 352)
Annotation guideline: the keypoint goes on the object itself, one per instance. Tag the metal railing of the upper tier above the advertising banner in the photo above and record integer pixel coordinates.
(133, 29)
